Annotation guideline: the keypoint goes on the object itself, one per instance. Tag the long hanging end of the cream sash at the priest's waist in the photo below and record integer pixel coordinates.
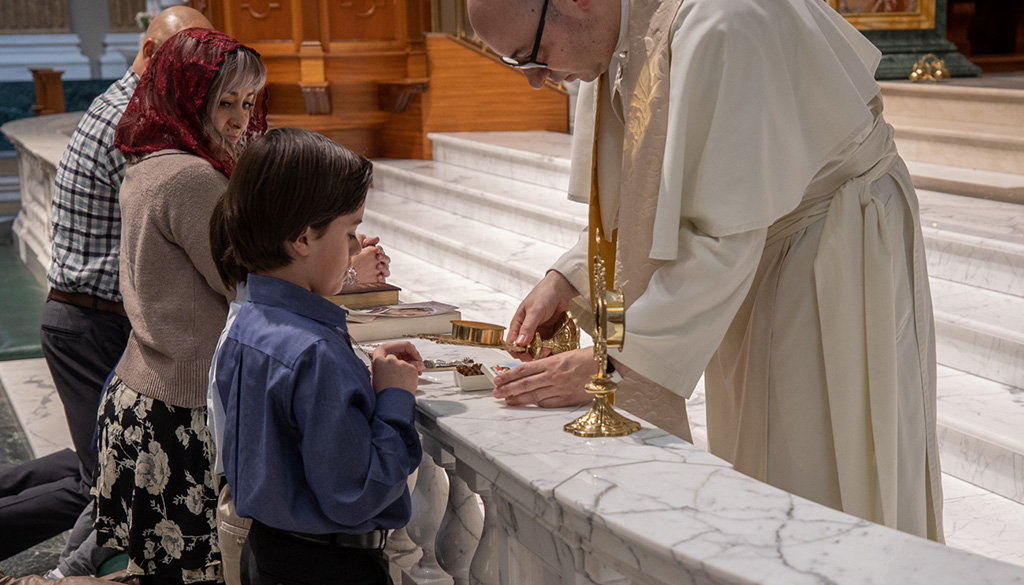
(855, 283)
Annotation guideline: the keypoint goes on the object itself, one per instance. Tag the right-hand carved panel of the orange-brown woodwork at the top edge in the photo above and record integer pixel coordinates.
(366, 21)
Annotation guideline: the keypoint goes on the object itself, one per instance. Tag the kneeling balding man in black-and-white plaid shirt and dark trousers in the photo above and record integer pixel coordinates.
(84, 327)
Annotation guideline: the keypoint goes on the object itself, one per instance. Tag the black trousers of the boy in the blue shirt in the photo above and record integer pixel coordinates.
(272, 558)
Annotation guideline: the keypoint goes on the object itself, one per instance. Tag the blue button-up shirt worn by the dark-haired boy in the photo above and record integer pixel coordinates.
(308, 445)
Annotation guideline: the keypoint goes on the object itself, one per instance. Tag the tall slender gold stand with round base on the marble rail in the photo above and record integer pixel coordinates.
(610, 330)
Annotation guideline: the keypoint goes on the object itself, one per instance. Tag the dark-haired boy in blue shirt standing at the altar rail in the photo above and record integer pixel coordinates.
(318, 449)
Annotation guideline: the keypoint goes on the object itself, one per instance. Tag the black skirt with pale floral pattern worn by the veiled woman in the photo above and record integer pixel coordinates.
(156, 490)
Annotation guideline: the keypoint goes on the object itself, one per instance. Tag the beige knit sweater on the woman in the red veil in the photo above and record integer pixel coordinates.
(173, 294)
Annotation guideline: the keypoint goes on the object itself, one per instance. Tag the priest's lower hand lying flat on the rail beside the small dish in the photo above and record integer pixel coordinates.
(554, 382)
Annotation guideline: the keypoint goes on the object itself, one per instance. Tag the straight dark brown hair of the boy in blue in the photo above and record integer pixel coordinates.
(285, 182)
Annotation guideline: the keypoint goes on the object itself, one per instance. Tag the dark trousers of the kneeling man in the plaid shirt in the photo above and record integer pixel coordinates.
(42, 498)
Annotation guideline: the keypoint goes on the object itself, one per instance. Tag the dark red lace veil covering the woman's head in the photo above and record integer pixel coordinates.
(166, 111)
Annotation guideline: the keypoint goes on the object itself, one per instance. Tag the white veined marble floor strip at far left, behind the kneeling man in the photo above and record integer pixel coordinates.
(37, 405)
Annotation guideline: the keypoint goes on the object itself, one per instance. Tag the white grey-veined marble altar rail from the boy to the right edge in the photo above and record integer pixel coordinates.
(649, 509)
